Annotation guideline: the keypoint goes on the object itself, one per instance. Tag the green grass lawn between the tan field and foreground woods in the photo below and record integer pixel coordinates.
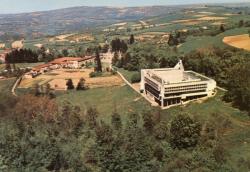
(106, 100)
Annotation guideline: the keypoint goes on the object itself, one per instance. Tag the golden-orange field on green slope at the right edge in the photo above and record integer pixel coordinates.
(238, 41)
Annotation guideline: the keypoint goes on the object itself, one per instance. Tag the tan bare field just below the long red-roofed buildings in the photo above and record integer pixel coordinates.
(58, 78)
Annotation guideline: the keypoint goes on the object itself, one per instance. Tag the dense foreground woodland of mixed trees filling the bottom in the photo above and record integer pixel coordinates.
(40, 136)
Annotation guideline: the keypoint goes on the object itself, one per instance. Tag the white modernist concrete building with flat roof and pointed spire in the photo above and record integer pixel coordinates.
(174, 86)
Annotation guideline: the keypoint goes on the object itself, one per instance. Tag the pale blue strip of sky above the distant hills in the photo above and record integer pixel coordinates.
(19, 6)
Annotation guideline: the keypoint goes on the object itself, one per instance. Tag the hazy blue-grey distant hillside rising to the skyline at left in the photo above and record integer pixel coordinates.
(43, 23)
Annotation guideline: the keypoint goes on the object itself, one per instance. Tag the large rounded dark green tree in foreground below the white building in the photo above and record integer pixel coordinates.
(184, 132)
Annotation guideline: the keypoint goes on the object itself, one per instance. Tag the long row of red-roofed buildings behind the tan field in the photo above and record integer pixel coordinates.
(64, 62)
